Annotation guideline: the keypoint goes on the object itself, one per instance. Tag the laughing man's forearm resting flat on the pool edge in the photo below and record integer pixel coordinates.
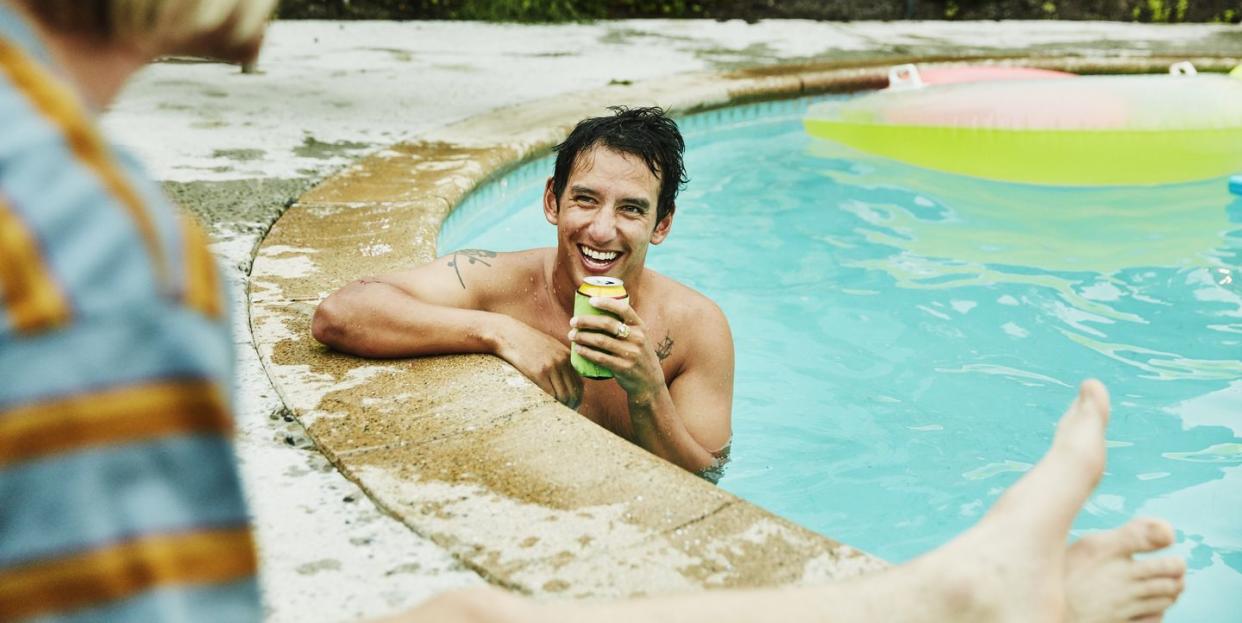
(374, 320)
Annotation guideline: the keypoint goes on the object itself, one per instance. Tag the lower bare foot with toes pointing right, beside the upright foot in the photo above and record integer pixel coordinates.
(1106, 585)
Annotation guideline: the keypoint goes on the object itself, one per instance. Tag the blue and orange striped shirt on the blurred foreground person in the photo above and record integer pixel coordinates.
(120, 498)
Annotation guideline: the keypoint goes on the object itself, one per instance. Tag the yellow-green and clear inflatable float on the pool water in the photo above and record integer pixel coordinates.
(1084, 132)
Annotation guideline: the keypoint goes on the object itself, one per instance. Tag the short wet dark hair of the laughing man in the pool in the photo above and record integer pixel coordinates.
(646, 133)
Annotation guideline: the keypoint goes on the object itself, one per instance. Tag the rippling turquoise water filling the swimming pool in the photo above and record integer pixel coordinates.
(906, 341)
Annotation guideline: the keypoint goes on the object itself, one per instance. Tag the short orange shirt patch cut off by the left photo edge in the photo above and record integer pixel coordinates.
(34, 301)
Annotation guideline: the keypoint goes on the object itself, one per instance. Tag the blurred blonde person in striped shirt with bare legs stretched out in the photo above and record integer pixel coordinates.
(120, 498)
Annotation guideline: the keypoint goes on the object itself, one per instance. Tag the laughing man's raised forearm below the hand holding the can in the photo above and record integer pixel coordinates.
(659, 430)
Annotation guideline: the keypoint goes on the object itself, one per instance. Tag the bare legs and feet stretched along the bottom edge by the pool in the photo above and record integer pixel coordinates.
(1010, 568)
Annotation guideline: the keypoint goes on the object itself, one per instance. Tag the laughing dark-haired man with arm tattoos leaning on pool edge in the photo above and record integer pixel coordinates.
(612, 198)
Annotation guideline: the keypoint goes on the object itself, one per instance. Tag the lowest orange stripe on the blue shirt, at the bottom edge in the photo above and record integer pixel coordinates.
(126, 570)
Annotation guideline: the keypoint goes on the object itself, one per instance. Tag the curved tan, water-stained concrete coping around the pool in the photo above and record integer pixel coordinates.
(468, 452)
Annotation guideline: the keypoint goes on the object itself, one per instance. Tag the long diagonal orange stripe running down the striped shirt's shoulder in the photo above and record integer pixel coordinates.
(63, 109)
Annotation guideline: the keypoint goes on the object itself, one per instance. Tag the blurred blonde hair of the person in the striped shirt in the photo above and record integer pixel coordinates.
(228, 29)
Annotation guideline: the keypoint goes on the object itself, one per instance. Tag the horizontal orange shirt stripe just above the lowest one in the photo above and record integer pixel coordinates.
(110, 418)
